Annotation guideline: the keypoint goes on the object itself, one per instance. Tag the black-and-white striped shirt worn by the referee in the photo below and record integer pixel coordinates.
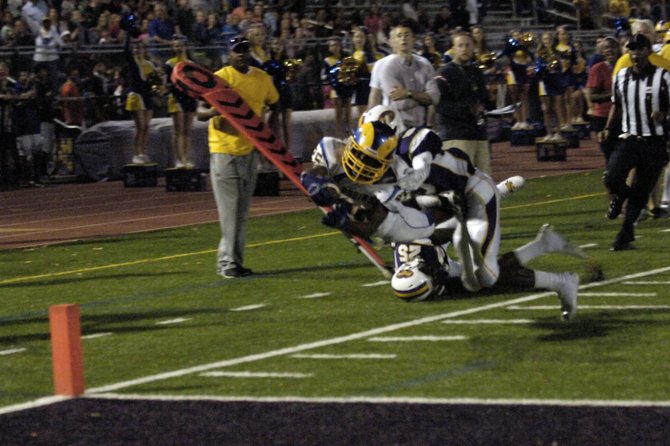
(638, 95)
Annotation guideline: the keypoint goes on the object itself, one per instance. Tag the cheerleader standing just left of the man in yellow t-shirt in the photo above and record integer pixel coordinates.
(182, 108)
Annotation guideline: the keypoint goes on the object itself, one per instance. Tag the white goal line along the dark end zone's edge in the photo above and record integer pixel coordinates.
(385, 400)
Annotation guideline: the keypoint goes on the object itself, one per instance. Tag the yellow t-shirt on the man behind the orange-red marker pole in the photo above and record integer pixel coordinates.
(257, 90)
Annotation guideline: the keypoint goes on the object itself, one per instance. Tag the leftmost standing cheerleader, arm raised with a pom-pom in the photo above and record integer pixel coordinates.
(139, 101)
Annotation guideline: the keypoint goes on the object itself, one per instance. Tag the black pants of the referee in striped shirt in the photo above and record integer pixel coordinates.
(648, 156)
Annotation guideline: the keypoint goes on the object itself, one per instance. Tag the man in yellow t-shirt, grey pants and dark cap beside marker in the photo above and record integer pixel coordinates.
(233, 158)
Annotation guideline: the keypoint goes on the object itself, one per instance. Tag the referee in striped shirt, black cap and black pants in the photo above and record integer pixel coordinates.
(641, 99)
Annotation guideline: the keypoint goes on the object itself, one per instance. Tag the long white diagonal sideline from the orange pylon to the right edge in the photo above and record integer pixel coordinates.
(356, 336)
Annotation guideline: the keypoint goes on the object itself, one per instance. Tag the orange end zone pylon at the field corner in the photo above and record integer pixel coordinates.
(68, 363)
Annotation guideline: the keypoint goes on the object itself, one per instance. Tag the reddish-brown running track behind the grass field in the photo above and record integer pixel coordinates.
(68, 212)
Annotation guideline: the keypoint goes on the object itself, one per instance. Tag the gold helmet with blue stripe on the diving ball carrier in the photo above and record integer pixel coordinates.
(369, 152)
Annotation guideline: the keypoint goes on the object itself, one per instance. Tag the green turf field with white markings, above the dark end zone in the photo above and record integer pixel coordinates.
(159, 307)
